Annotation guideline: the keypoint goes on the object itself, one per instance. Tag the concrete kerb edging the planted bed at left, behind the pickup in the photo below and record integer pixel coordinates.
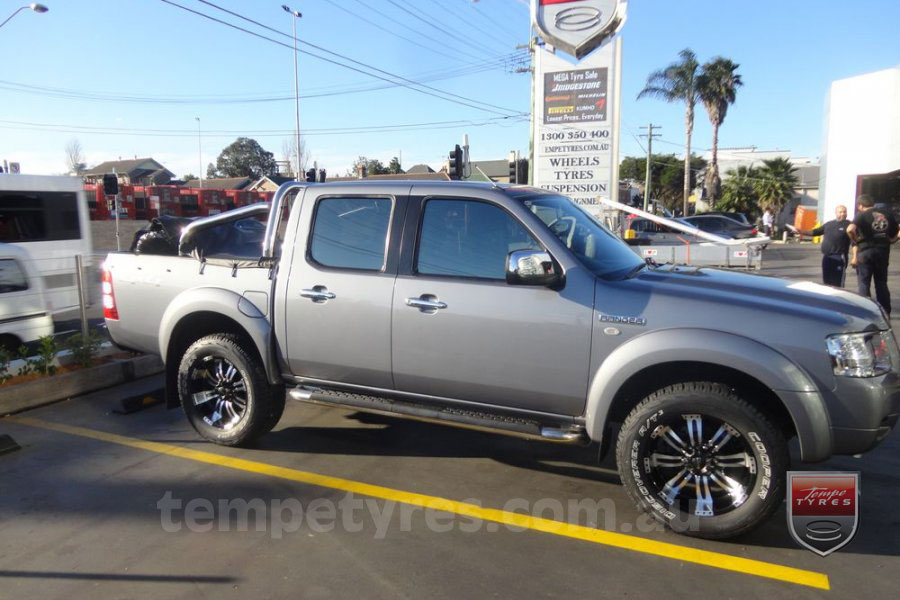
(23, 396)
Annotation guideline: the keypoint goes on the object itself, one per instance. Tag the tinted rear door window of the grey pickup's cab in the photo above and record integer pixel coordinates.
(351, 233)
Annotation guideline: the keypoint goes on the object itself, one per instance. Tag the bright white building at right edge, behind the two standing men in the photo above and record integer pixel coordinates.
(862, 141)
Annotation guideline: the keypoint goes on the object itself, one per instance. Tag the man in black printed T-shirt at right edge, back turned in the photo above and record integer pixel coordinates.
(873, 231)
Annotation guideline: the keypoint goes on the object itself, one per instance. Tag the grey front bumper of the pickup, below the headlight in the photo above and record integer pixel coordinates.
(863, 411)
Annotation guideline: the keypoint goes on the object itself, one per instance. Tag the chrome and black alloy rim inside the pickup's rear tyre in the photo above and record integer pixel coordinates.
(218, 391)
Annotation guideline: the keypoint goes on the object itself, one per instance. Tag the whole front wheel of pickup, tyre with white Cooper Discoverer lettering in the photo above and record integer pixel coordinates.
(676, 479)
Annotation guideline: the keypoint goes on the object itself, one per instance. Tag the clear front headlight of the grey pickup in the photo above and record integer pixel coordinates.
(861, 354)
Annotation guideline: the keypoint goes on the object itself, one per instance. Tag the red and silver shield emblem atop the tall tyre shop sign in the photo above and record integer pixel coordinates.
(577, 26)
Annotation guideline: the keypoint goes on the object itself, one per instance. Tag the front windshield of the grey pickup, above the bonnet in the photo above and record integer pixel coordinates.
(598, 249)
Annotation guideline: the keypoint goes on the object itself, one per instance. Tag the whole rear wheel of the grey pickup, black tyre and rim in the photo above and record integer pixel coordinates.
(225, 393)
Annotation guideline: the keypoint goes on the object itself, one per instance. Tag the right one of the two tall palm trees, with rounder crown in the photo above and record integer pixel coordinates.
(717, 83)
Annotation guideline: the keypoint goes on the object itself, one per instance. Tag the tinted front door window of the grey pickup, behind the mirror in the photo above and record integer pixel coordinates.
(466, 238)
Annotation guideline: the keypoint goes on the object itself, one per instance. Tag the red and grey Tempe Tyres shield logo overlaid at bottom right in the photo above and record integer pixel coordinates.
(823, 509)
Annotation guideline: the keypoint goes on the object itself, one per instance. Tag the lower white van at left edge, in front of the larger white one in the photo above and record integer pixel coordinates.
(23, 304)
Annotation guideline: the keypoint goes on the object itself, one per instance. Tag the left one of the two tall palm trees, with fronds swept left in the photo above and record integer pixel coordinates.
(678, 83)
